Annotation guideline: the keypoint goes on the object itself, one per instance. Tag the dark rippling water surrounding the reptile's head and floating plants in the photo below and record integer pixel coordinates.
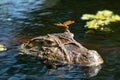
(21, 19)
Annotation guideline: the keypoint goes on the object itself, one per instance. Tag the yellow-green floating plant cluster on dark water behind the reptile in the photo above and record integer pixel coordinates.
(100, 20)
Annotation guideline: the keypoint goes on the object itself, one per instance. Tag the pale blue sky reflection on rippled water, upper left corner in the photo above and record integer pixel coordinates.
(13, 13)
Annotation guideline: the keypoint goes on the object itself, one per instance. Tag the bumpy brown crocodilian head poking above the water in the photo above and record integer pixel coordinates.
(61, 48)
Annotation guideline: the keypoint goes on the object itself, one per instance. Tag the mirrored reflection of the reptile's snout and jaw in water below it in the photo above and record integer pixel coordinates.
(76, 71)
